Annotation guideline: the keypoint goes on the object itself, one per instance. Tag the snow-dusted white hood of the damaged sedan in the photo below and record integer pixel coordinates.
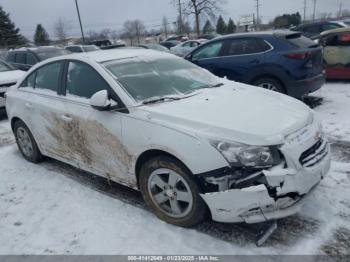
(235, 112)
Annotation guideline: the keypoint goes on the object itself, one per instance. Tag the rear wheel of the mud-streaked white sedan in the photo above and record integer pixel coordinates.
(26, 143)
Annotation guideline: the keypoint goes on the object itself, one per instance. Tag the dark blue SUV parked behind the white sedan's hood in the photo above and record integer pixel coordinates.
(282, 61)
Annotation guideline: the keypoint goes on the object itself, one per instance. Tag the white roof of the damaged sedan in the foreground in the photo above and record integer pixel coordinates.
(101, 56)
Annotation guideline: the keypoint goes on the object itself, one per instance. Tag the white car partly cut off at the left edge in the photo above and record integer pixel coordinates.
(8, 77)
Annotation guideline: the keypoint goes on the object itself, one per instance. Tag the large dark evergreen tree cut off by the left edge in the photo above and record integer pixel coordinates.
(9, 34)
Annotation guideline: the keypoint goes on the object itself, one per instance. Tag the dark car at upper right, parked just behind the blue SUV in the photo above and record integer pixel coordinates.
(313, 30)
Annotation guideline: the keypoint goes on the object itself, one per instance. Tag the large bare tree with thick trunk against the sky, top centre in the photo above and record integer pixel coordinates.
(202, 7)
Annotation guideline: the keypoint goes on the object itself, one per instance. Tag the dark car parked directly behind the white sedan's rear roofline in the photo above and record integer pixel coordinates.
(25, 58)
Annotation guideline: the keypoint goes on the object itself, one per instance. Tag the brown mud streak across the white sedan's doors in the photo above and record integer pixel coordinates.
(89, 143)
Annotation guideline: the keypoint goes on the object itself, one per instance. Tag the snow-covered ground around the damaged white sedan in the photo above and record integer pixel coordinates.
(52, 208)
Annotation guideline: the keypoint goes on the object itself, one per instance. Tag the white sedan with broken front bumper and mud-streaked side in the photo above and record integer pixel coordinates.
(192, 143)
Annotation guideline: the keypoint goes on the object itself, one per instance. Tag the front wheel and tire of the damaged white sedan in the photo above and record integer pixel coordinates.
(169, 190)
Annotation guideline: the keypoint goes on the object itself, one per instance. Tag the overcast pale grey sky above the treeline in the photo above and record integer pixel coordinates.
(100, 14)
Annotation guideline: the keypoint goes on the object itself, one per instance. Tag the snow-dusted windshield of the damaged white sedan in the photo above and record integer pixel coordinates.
(162, 77)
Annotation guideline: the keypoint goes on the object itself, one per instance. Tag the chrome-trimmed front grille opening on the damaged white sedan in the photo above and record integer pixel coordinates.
(314, 154)
